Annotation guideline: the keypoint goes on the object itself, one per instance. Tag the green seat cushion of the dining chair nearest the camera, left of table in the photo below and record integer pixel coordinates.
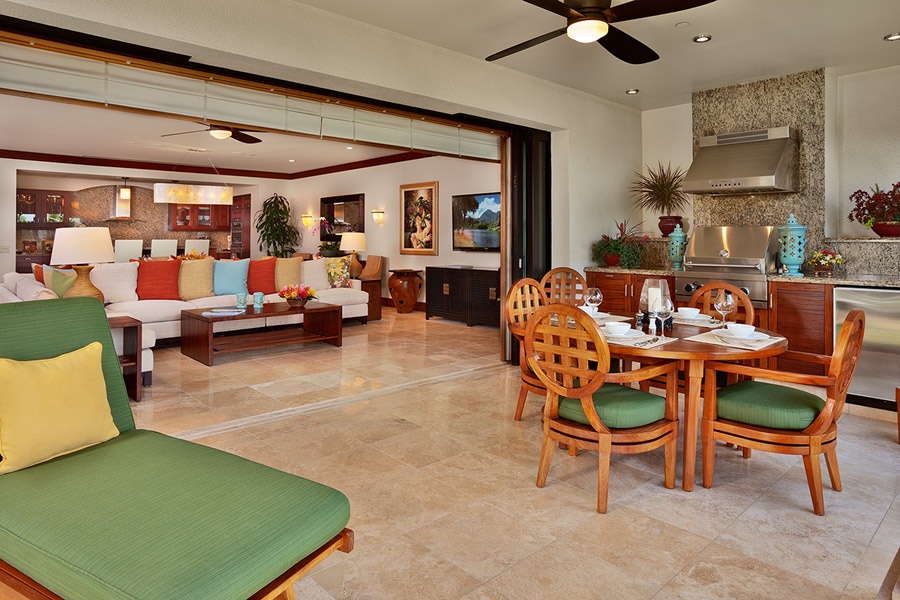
(619, 407)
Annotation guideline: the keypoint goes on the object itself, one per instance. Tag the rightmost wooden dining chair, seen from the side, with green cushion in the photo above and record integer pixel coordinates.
(781, 419)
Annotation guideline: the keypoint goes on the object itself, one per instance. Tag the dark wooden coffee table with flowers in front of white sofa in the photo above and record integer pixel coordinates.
(321, 323)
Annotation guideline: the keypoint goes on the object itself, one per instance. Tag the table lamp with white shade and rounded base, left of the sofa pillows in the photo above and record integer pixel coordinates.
(78, 246)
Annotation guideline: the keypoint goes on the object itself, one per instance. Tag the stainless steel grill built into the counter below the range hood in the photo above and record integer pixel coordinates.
(741, 256)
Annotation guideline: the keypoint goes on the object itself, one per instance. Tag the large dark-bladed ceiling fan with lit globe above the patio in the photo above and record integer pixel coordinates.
(591, 21)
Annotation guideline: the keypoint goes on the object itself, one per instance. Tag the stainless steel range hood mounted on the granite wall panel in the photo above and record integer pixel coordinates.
(750, 162)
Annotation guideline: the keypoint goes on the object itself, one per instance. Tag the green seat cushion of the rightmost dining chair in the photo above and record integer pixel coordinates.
(768, 405)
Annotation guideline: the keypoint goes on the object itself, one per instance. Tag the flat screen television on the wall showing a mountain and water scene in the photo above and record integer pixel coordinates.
(476, 222)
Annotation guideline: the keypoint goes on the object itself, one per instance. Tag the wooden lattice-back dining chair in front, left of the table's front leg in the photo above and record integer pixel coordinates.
(589, 408)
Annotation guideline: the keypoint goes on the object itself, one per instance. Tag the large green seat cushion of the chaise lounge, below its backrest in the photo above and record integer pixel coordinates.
(148, 516)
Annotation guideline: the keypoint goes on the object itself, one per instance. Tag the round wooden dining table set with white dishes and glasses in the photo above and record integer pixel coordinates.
(693, 355)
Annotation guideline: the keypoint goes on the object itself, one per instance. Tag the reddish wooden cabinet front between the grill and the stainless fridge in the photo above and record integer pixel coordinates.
(804, 314)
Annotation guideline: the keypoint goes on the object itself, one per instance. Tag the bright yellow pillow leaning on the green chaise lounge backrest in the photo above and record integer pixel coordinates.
(52, 407)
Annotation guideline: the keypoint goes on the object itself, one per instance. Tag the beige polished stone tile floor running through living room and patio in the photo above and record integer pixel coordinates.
(412, 419)
